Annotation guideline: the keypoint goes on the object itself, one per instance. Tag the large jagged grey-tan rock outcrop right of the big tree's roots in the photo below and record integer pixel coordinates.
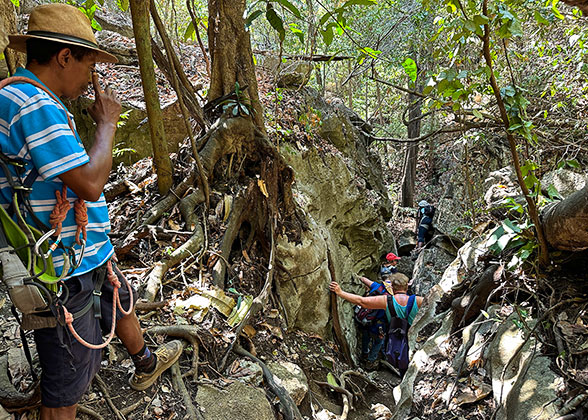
(341, 196)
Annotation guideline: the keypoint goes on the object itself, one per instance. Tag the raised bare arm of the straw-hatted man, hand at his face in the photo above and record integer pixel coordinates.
(88, 180)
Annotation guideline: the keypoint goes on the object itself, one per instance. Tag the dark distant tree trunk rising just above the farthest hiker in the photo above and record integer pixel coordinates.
(410, 158)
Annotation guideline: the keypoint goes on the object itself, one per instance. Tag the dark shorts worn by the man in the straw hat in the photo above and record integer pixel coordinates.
(68, 369)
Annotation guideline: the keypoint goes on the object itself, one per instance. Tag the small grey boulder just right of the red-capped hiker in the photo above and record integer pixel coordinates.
(428, 269)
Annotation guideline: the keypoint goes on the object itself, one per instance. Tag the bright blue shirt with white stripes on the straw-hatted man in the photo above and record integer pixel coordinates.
(34, 129)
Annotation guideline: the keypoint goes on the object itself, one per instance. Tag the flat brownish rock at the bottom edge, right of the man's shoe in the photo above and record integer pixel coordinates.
(237, 401)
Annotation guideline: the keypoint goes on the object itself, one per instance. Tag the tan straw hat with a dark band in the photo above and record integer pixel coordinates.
(60, 23)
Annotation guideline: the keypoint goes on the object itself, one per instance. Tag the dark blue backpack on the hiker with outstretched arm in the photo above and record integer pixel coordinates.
(397, 341)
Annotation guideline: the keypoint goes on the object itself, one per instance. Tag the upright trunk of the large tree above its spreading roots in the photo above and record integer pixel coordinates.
(231, 55)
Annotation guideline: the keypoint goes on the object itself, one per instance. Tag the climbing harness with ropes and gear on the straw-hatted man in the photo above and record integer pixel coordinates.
(25, 253)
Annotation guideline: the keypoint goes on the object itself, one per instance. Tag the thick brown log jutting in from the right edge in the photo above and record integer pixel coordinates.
(566, 222)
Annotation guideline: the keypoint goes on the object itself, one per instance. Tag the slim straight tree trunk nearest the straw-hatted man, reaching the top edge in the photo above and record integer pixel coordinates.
(163, 168)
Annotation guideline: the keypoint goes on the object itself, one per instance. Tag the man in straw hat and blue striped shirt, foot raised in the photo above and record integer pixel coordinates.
(37, 130)
